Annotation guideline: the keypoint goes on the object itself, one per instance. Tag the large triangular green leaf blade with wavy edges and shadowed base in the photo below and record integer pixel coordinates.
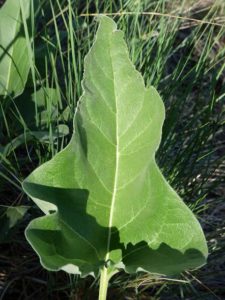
(105, 199)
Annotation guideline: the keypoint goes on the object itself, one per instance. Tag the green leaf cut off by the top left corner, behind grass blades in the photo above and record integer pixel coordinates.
(14, 62)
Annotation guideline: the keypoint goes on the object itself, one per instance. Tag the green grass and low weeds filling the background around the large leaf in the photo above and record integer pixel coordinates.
(179, 47)
